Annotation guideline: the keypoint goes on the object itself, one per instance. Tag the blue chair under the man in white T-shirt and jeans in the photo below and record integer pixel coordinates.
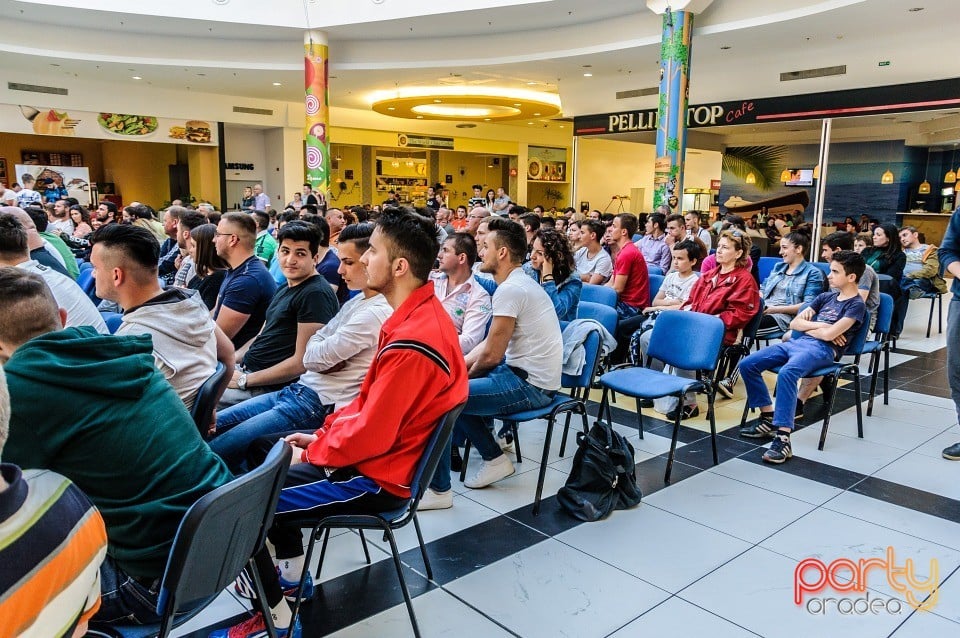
(574, 403)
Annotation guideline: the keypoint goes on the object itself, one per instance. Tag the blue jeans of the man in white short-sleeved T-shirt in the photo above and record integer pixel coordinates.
(499, 393)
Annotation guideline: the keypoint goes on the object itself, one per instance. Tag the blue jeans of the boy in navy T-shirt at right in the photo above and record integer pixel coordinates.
(798, 358)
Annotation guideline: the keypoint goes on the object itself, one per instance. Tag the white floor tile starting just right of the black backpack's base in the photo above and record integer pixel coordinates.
(744, 511)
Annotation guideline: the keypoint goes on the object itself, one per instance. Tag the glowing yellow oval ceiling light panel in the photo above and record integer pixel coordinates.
(465, 103)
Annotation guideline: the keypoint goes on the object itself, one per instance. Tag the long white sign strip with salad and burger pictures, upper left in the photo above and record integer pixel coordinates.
(42, 120)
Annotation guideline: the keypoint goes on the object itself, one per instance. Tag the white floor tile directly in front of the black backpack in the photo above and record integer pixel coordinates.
(657, 546)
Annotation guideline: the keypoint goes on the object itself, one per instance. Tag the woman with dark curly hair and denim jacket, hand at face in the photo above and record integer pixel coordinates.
(551, 264)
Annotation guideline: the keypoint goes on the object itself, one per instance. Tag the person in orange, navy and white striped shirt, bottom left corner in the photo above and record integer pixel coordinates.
(52, 541)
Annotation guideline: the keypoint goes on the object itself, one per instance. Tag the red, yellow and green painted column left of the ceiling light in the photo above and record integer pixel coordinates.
(317, 102)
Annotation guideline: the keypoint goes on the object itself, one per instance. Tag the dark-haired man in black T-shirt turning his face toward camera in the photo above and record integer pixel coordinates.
(296, 311)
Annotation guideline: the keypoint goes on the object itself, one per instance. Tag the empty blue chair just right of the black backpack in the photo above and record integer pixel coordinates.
(673, 333)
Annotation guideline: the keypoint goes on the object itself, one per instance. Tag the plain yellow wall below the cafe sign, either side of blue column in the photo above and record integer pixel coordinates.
(606, 168)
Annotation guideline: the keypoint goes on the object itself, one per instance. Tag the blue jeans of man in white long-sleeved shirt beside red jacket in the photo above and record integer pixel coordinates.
(296, 407)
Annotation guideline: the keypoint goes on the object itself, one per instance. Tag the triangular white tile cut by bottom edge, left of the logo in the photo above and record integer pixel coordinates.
(676, 617)
